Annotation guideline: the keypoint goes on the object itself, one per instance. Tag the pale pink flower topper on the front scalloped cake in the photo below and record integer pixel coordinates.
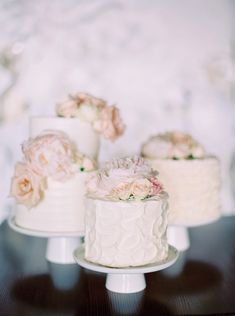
(125, 179)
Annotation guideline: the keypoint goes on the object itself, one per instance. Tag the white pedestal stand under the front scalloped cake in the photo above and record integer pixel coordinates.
(125, 280)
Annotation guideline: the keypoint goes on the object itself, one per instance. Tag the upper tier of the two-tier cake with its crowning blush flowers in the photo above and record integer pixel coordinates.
(83, 118)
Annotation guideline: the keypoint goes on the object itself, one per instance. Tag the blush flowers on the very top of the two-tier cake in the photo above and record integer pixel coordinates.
(105, 119)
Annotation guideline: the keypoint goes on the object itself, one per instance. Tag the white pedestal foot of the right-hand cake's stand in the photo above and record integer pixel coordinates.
(178, 237)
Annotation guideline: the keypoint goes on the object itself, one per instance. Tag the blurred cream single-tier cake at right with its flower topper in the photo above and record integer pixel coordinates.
(191, 178)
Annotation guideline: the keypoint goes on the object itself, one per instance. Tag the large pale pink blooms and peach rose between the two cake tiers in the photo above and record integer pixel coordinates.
(51, 154)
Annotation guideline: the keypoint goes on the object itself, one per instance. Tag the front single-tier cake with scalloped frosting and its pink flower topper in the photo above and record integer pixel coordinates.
(126, 218)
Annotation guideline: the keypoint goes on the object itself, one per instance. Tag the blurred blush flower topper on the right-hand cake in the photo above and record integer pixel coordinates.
(172, 145)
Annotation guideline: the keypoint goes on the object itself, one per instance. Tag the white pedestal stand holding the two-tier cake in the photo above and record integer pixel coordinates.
(60, 245)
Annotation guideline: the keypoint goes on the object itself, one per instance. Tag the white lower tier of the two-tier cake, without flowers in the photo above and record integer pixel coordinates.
(61, 210)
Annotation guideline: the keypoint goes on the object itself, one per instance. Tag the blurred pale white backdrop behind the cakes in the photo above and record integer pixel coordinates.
(166, 64)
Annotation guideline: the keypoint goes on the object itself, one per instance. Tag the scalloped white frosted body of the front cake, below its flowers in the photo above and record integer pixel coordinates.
(123, 234)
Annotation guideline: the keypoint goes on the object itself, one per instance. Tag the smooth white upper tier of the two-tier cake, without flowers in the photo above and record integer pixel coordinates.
(80, 132)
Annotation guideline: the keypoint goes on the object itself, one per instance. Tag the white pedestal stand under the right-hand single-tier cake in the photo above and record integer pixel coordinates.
(178, 235)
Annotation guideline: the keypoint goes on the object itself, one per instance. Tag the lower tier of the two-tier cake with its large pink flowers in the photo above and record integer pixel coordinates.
(49, 184)
